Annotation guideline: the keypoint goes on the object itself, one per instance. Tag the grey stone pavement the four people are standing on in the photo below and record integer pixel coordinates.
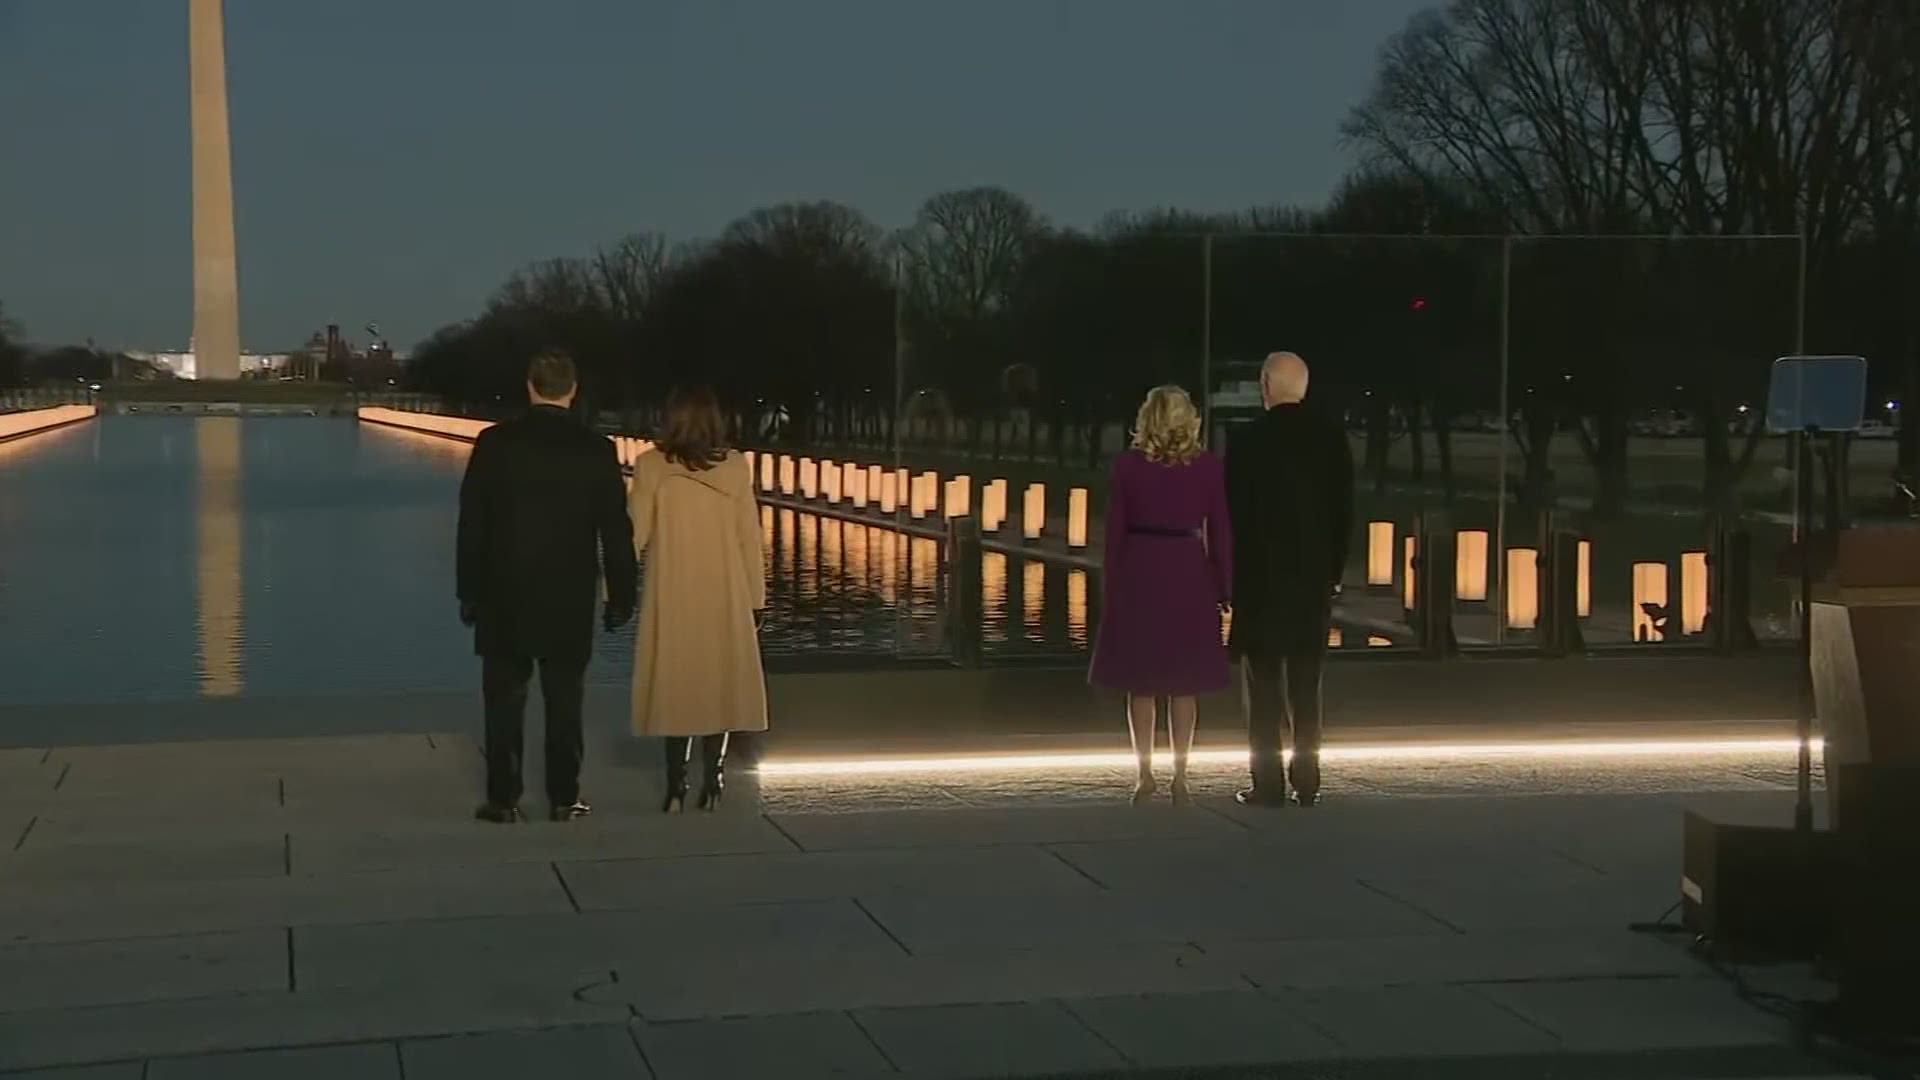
(324, 908)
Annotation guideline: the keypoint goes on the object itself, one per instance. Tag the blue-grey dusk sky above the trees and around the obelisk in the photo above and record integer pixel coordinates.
(395, 160)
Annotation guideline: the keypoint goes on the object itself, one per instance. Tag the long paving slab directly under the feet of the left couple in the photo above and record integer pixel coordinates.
(460, 841)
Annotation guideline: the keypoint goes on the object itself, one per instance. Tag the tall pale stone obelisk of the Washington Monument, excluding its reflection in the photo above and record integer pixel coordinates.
(216, 287)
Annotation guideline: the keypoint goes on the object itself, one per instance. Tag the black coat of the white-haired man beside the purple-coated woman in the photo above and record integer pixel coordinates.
(1291, 499)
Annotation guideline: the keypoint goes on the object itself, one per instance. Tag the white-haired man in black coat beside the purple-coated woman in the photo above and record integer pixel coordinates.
(1291, 499)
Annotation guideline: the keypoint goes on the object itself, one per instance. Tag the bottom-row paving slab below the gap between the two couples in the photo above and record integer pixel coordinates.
(988, 1041)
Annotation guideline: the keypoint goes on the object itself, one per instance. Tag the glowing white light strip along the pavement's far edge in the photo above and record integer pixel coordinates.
(1401, 754)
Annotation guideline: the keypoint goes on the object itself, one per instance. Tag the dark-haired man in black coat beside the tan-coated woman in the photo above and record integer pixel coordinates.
(542, 512)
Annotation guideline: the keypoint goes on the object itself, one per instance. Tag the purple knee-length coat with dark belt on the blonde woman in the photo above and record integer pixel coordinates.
(1168, 572)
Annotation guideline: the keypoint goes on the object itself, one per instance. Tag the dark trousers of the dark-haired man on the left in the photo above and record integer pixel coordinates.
(504, 681)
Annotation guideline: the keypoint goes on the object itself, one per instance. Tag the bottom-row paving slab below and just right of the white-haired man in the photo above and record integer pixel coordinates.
(1416, 1021)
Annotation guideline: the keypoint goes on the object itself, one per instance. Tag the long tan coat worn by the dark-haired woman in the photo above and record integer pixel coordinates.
(698, 656)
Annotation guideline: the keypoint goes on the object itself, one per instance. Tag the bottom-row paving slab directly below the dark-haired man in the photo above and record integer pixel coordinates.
(577, 1054)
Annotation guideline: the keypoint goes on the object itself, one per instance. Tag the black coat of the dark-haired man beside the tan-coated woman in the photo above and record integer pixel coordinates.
(542, 510)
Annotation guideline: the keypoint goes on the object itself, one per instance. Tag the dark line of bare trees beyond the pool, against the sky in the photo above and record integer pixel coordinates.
(1691, 191)
